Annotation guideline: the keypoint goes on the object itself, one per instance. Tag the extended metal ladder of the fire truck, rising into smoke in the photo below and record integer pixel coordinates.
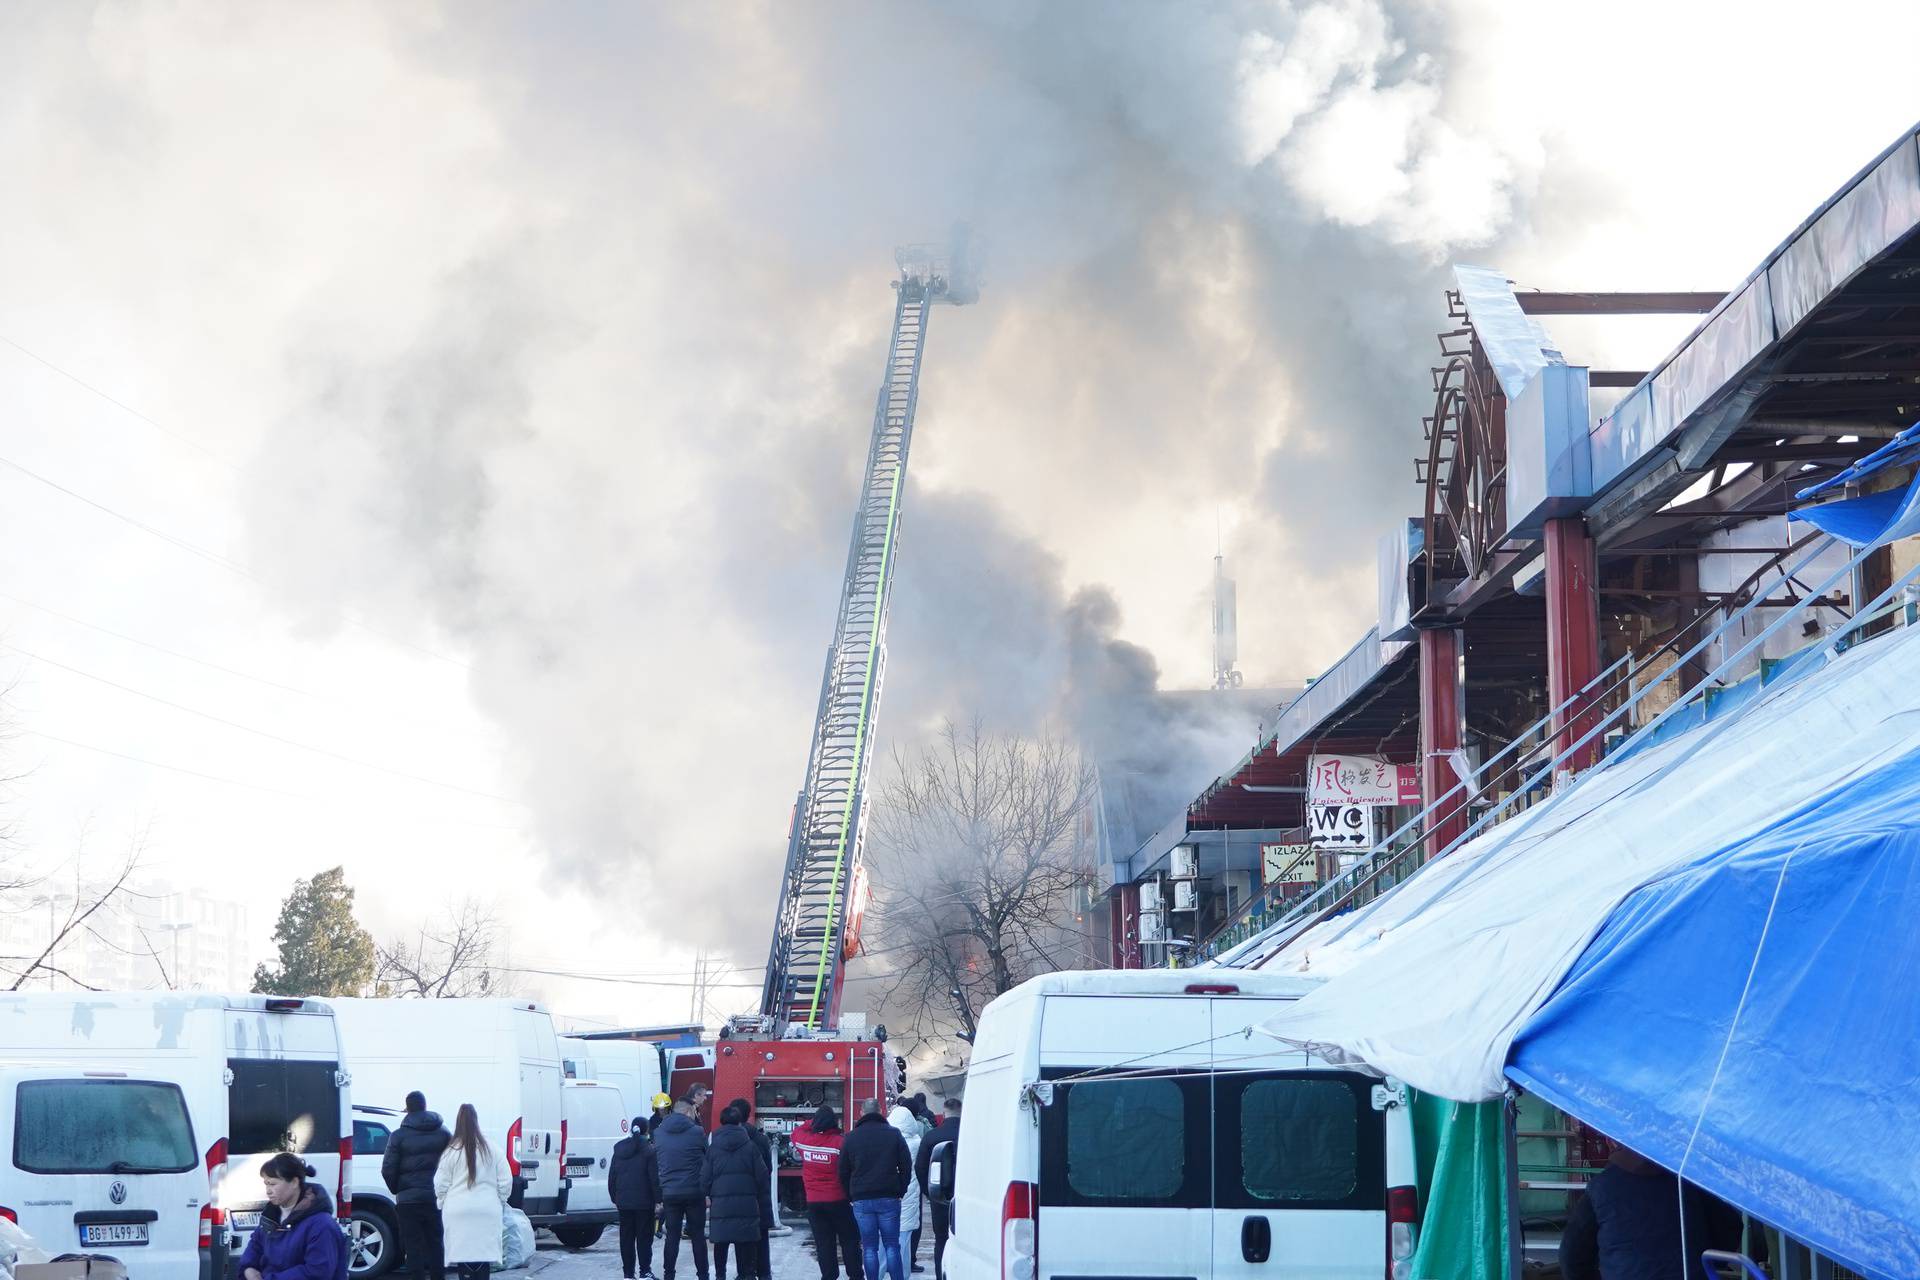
(805, 964)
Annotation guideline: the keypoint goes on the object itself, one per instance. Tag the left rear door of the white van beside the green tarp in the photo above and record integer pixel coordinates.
(1126, 1143)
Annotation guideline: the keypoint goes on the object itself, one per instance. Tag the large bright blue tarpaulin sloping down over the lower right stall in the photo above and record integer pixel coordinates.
(1754, 1020)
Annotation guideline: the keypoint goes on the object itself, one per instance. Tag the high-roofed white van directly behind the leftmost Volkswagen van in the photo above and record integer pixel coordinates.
(260, 1074)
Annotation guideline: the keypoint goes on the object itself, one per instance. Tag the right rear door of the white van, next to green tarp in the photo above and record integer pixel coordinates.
(1299, 1164)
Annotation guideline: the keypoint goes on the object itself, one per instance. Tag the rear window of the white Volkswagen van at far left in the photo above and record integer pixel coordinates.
(103, 1127)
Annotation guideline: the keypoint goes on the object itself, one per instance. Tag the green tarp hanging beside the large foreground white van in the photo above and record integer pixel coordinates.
(1462, 1156)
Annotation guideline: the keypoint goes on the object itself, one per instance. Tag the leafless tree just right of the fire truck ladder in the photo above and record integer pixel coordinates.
(978, 855)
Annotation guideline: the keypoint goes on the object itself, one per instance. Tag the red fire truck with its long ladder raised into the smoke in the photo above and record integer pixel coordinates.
(802, 1049)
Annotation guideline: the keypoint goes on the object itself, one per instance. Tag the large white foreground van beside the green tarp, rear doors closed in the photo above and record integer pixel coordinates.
(1136, 1124)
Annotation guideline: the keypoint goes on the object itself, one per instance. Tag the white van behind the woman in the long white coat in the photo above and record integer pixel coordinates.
(498, 1055)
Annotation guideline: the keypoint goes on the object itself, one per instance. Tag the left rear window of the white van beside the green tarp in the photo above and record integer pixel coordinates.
(1116, 1143)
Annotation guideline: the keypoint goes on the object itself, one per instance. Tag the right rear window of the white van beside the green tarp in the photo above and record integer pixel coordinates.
(1299, 1141)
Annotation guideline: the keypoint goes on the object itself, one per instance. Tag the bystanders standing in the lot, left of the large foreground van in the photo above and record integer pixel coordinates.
(667, 1179)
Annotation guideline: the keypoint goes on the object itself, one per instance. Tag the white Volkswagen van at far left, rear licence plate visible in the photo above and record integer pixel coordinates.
(107, 1162)
